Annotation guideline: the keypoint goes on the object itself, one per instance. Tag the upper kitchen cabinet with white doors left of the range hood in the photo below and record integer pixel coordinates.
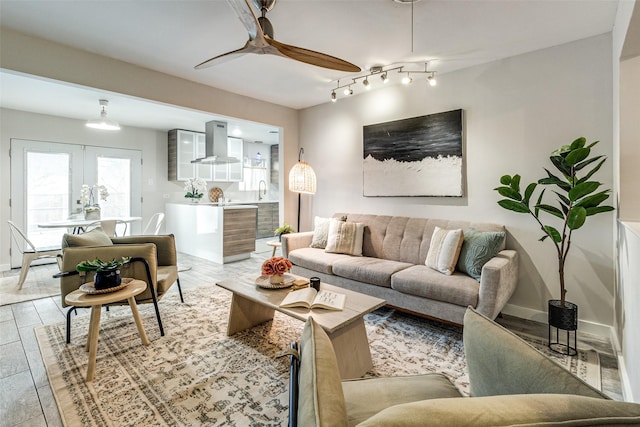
(185, 146)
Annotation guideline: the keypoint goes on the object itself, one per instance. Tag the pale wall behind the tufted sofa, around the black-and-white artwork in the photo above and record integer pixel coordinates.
(517, 110)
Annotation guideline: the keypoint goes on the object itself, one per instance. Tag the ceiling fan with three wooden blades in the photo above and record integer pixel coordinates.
(261, 41)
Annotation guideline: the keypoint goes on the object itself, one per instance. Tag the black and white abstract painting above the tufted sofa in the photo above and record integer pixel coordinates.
(420, 156)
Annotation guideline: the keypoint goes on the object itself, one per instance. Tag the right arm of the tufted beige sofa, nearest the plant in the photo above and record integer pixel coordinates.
(498, 281)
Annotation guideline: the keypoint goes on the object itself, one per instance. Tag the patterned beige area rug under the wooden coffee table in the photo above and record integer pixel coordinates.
(196, 375)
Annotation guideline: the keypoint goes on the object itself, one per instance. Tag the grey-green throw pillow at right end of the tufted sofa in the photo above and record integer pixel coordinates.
(478, 248)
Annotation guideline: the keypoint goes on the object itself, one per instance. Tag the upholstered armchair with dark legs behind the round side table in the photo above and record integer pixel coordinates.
(153, 260)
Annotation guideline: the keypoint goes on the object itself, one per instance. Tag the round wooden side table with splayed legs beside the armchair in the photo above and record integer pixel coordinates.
(80, 298)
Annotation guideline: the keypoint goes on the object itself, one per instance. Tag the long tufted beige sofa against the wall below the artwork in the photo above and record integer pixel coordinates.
(393, 267)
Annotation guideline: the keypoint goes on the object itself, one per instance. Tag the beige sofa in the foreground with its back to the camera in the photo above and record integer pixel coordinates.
(511, 384)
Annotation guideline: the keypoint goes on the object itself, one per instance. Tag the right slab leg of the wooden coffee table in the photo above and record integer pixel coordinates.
(351, 346)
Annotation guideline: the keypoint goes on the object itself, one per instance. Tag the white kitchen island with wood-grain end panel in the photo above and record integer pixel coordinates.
(220, 234)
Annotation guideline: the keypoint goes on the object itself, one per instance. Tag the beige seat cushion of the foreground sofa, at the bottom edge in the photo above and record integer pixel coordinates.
(391, 391)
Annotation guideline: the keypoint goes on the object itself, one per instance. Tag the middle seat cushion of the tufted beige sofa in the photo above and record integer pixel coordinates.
(373, 271)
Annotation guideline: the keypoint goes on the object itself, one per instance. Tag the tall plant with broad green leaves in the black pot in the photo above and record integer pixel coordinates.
(577, 197)
